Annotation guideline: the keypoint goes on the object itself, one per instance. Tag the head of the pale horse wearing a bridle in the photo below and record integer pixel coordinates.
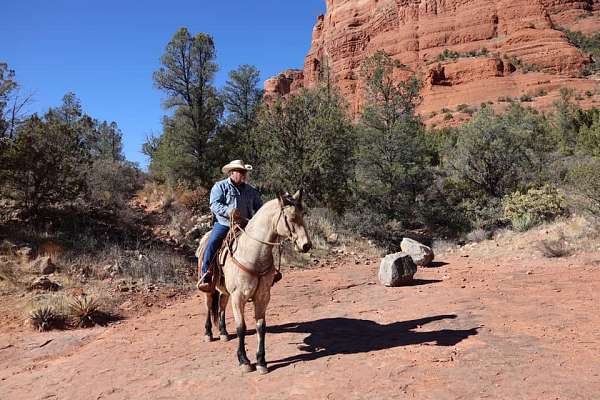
(291, 221)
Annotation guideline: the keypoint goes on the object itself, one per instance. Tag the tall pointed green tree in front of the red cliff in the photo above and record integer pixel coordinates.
(394, 157)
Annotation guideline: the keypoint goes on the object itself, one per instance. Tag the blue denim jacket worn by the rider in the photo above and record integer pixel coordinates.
(225, 195)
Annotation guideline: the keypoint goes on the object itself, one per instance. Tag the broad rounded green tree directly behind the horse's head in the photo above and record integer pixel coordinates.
(306, 141)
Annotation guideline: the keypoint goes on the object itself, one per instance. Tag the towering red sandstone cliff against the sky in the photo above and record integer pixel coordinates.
(520, 37)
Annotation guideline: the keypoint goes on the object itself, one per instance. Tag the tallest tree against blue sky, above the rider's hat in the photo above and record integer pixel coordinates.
(185, 151)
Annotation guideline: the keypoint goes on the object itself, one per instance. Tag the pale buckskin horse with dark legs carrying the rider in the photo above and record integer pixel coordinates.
(249, 269)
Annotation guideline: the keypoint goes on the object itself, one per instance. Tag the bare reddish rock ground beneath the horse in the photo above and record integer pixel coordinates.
(492, 321)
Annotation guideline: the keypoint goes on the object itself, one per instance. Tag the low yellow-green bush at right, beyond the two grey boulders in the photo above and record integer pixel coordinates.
(534, 206)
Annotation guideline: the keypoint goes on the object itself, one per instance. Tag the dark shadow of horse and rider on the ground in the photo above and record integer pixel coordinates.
(333, 336)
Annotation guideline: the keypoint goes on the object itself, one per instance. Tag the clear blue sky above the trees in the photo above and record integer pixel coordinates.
(105, 51)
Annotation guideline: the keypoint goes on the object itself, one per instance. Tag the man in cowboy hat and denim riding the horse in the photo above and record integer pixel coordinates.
(230, 197)
